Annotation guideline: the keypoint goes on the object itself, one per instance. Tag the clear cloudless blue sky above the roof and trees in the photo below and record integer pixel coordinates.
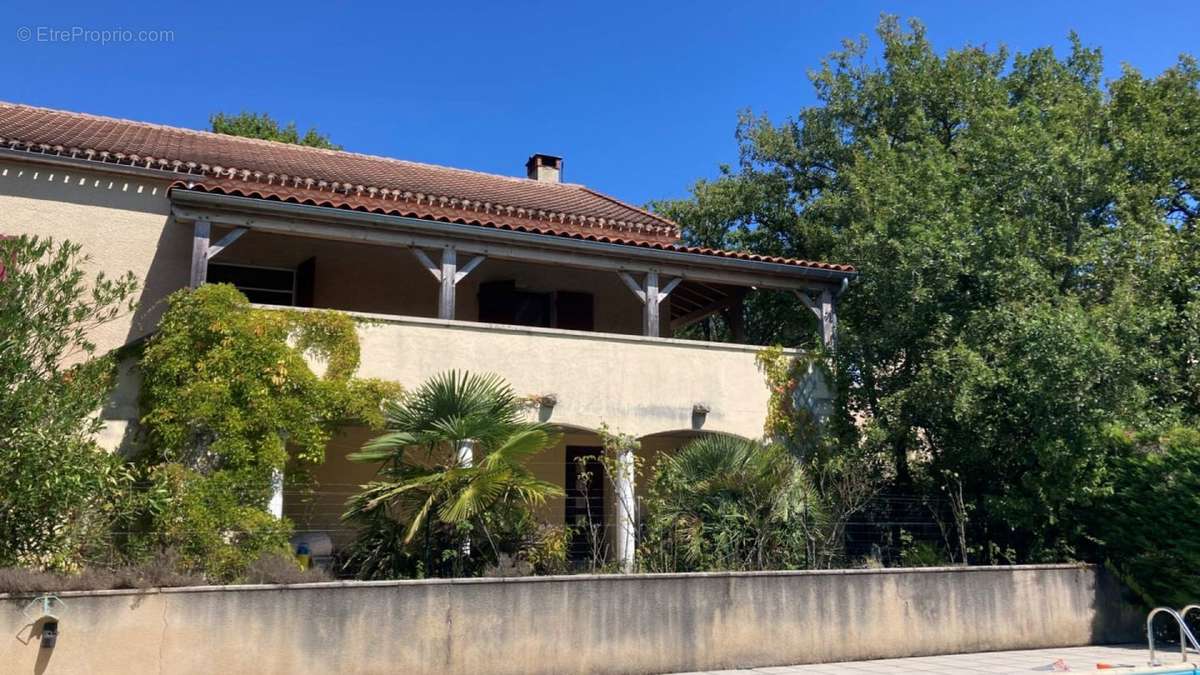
(640, 98)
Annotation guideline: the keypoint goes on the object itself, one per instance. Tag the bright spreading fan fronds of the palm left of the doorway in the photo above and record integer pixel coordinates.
(428, 455)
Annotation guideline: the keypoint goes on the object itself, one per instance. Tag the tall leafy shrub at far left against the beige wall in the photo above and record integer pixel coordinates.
(58, 491)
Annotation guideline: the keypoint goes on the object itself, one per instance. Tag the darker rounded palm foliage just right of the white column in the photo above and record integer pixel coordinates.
(724, 503)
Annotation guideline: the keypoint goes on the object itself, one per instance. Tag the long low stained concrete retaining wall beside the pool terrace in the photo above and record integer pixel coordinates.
(635, 624)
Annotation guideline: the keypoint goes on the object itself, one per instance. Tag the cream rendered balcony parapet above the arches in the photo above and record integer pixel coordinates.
(633, 385)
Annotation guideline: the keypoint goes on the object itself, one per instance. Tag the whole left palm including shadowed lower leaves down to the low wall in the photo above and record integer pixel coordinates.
(427, 482)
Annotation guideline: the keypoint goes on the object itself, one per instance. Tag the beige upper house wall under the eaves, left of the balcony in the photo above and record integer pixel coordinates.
(123, 223)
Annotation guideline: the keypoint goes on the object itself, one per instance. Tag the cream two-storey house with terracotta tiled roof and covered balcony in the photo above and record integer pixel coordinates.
(568, 294)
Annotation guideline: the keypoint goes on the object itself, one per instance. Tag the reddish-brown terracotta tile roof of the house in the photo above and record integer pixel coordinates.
(249, 168)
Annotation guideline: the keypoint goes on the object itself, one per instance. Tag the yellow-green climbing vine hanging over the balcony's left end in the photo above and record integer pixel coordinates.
(226, 392)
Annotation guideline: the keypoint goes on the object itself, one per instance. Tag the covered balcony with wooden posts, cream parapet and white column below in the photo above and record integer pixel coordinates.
(581, 327)
